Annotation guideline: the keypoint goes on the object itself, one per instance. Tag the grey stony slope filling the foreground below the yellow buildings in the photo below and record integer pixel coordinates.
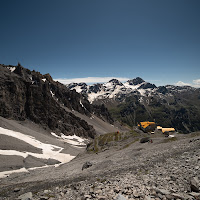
(168, 168)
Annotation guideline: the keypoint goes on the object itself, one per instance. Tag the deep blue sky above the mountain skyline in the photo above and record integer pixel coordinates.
(156, 40)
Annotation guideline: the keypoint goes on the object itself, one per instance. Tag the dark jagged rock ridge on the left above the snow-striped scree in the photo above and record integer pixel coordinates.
(26, 94)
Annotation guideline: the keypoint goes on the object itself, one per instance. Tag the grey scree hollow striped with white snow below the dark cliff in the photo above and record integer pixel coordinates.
(25, 146)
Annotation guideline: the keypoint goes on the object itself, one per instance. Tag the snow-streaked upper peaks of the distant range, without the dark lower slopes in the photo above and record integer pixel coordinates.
(114, 89)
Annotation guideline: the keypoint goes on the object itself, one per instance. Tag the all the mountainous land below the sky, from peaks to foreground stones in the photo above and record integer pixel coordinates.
(83, 142)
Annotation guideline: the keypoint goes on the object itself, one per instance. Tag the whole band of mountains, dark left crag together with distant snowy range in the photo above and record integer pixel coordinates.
(87, 110)
